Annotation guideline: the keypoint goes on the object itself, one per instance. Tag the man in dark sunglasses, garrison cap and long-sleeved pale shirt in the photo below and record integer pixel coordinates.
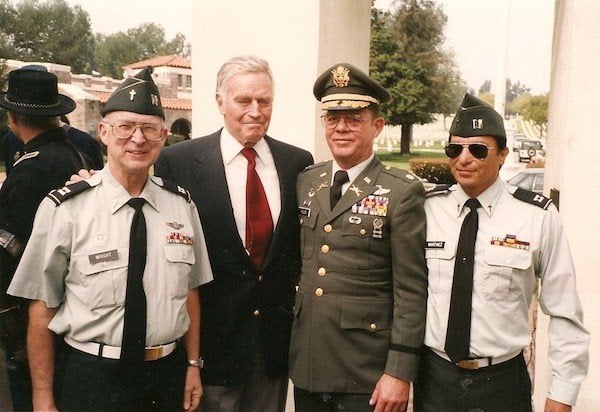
(488, 245)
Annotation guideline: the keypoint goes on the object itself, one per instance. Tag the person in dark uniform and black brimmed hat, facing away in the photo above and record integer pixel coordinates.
(49, 159)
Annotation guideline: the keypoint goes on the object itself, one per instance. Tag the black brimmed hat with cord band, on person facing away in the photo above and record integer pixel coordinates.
(33, 90)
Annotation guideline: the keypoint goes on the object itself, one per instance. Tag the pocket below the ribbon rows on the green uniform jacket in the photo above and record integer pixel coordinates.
(363, 250)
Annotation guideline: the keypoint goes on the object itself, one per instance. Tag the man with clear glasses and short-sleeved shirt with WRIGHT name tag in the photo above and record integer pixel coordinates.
(125, 301)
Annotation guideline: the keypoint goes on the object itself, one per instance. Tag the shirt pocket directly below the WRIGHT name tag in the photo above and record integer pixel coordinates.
(105, 282)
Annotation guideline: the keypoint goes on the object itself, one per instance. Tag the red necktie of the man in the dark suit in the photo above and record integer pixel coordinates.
(259, 223)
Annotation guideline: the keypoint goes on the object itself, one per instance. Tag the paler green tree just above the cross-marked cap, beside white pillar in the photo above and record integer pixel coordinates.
(114, 51)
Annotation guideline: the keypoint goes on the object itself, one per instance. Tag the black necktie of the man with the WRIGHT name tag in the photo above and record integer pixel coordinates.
(134, 324)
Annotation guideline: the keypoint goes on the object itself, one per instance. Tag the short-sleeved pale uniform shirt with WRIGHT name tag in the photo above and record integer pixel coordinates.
(77, 257)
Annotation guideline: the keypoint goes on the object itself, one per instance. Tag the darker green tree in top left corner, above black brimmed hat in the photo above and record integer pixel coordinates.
(47, 31)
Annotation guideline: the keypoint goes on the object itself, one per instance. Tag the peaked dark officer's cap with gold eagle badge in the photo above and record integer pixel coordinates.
(345, 87)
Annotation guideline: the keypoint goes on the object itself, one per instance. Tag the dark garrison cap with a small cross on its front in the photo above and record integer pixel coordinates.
(137, 94)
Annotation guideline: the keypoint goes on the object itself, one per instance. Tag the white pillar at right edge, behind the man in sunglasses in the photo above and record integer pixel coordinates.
(572, 168)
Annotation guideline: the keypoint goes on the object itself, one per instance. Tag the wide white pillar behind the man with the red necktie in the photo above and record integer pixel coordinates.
(299, 39)
